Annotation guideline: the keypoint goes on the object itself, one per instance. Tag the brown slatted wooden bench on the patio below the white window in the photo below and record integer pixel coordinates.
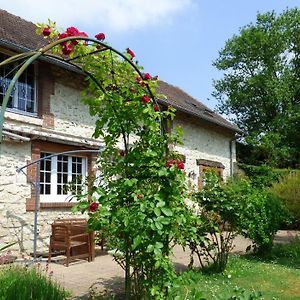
(70, 236)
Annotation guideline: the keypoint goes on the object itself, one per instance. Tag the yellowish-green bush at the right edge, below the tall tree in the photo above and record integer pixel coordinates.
(288, 190)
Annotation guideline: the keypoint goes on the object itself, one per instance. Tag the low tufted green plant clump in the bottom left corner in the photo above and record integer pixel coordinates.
(23, 283)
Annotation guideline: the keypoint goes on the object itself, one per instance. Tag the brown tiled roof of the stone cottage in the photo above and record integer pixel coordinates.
(18, 33)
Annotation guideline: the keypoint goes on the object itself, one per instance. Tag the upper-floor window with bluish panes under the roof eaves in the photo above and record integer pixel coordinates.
(23, 96)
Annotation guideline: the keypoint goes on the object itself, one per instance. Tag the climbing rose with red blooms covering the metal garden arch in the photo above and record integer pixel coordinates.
(138, 201)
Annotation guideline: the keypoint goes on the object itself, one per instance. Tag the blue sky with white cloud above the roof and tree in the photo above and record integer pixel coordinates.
(175, 39)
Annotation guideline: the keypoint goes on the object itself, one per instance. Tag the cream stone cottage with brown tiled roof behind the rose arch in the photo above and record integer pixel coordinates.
(45, 116)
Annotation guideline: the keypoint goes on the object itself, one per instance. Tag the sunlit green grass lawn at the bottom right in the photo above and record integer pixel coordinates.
(244, 276)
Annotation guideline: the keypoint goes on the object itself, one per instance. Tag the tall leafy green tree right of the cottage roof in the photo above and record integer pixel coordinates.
(260, 88)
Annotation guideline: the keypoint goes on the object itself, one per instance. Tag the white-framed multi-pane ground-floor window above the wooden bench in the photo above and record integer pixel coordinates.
(59, 174)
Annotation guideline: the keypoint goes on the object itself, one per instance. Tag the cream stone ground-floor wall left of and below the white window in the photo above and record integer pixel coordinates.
(17, 224)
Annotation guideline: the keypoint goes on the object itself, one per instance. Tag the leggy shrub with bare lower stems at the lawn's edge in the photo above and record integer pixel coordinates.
(218, 219)
